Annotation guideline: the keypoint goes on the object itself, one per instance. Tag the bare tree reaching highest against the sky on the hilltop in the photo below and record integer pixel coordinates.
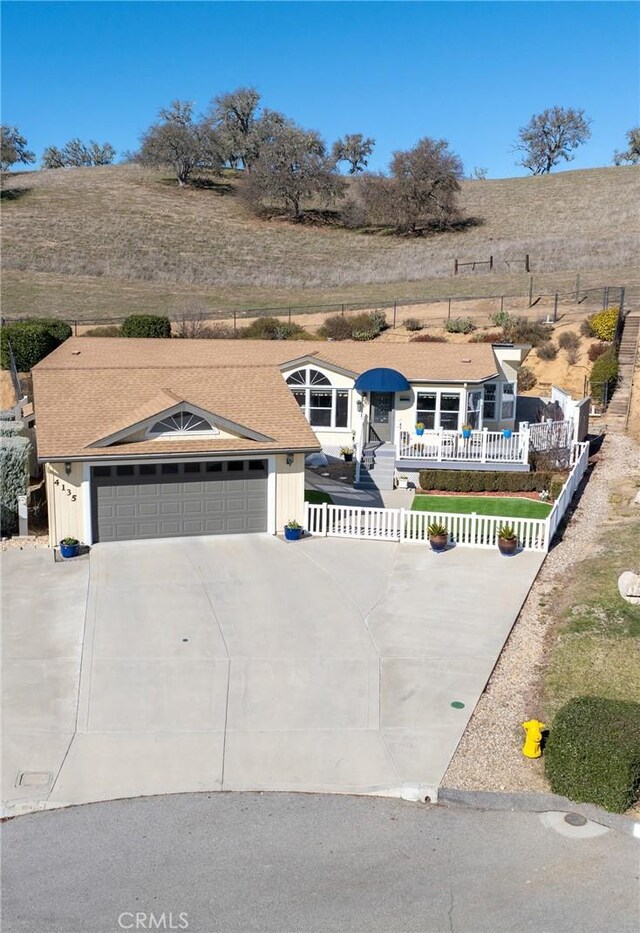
(234, 116)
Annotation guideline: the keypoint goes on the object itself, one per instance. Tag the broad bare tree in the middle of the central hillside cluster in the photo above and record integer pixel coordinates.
(292, 167)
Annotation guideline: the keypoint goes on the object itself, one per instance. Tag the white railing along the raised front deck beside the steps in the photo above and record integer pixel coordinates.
(481, 447)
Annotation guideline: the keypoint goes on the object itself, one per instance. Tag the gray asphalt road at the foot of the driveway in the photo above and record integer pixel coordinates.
(278, 862)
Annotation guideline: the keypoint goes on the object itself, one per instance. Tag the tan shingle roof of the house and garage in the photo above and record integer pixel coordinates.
(91, 387)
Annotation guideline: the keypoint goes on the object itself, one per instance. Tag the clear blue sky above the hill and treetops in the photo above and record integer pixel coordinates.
(472, 73)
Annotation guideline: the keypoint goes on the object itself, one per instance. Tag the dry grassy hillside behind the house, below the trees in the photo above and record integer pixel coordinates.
(104, 241)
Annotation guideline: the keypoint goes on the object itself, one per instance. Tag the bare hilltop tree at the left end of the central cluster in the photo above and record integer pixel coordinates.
(179, 141)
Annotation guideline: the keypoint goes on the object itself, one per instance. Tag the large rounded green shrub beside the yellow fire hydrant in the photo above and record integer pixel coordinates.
(593, 752)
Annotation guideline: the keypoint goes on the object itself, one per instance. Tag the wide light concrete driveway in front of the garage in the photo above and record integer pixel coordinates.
(246, 663)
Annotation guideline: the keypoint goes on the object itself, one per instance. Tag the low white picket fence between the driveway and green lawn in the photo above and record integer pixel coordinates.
(474, 530)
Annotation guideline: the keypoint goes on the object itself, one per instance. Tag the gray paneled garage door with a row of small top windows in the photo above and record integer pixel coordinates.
(167, 499)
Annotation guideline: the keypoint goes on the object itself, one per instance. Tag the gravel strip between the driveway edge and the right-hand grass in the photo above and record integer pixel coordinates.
(489, 755)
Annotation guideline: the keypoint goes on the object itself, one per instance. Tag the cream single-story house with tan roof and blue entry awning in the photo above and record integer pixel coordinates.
(153, 438)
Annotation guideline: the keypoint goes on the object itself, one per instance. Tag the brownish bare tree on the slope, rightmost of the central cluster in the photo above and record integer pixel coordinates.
(420, 192)
